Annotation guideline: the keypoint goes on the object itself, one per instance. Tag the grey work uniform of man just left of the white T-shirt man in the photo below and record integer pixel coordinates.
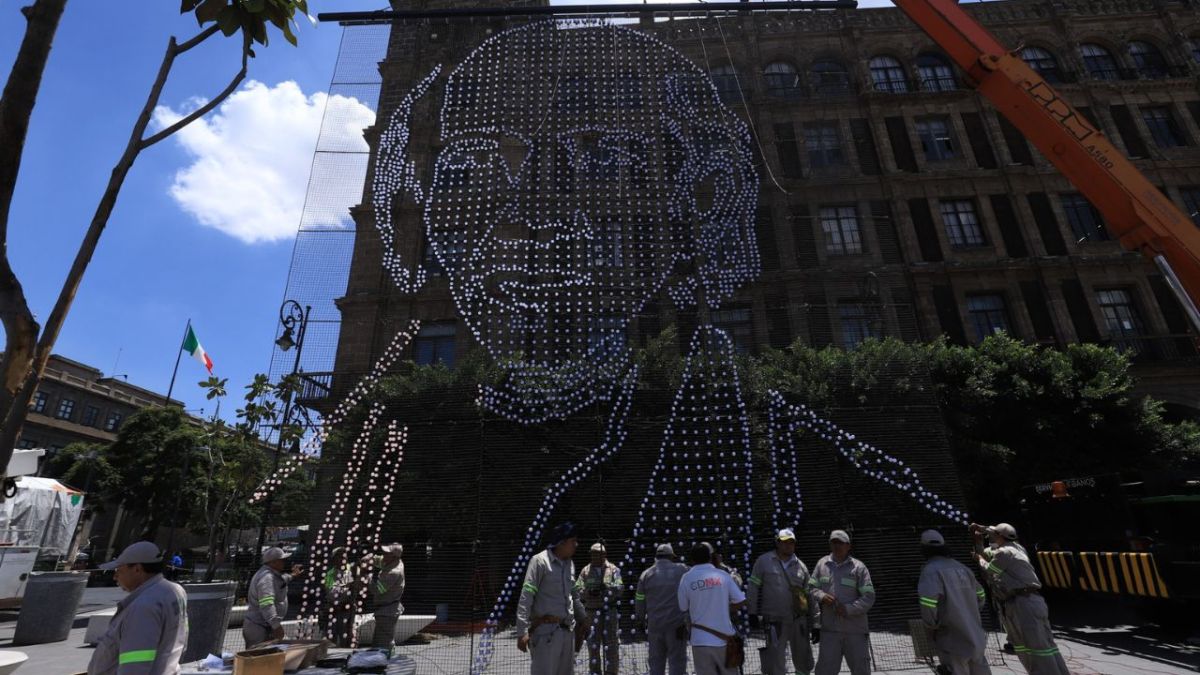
(657, 605)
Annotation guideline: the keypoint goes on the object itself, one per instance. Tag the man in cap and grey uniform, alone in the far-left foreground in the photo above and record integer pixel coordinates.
(149, 631)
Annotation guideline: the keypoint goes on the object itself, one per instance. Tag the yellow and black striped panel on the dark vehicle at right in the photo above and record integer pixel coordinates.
(1103, 572)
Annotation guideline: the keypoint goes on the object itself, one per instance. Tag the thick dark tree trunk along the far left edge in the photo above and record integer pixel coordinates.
(16, 109)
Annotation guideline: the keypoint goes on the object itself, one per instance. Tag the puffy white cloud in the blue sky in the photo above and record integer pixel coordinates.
(253, 156)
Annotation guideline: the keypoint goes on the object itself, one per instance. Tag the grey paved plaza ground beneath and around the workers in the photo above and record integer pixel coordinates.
(1096, 640)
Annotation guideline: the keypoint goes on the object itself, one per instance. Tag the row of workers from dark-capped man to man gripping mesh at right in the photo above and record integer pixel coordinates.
(795, 607)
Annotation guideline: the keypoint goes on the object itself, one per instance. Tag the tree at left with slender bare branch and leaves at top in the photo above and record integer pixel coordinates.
(28, 345)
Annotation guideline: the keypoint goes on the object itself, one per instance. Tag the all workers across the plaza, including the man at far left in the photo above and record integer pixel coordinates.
(675, 605)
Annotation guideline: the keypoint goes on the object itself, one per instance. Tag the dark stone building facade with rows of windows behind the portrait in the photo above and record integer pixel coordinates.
(895, 200)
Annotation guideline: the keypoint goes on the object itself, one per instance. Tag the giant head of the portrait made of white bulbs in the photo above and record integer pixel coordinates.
(583, 169)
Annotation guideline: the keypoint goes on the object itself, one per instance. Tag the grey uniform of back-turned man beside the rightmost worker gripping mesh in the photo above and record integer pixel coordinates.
(951, 600)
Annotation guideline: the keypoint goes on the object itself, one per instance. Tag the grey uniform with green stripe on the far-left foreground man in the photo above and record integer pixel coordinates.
(148, 634)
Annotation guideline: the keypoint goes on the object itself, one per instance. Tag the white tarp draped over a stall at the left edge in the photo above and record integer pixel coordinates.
(44, 513)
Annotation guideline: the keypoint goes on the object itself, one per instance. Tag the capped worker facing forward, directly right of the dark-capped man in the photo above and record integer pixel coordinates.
(599, 588)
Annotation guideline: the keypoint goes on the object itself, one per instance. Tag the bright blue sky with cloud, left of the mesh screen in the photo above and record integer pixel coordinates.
(218, 252)
